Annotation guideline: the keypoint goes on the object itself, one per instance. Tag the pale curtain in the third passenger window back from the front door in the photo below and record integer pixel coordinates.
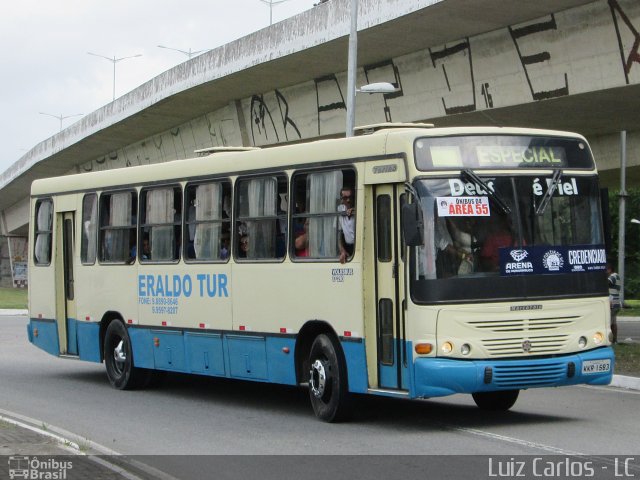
(208, 209)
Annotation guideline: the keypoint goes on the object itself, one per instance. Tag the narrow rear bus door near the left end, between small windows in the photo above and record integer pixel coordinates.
(66, 309)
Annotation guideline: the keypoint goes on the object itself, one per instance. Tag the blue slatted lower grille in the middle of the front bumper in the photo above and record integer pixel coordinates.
(529, 376)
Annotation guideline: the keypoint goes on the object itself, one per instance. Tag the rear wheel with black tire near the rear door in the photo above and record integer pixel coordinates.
(118, 359)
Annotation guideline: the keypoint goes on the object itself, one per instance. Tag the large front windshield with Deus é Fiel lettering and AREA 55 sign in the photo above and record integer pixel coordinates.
(501, 237)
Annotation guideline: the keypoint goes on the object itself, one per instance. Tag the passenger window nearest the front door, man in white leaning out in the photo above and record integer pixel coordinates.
(324, 215)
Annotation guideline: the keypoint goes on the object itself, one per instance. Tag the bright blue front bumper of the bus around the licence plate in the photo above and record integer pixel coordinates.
(436, 377)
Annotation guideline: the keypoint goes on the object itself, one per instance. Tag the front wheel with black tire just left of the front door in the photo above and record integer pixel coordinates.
(328, 386)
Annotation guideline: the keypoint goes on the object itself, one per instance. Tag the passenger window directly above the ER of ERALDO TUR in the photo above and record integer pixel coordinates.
(160, 225)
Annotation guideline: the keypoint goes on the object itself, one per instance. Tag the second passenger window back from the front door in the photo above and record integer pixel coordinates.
(261, 218)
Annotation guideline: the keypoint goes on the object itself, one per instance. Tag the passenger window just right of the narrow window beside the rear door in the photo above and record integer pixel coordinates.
(118, 227)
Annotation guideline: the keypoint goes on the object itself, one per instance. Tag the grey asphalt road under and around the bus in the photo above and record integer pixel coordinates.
(191, 415)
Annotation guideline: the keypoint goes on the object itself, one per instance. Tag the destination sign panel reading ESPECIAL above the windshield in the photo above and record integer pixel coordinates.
(501, 152)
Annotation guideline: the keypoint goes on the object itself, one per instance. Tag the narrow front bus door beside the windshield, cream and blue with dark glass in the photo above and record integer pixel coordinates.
(389, 272)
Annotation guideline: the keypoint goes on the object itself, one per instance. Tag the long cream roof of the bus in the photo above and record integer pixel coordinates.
(386, 140)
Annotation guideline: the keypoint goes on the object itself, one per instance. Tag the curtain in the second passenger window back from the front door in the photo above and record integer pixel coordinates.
(262, 203)
